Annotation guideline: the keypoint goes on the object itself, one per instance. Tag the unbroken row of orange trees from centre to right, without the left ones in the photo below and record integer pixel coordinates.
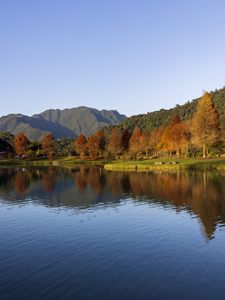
(200, 133)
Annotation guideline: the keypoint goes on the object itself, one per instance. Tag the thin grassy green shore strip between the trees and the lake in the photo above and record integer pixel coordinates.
(164, 164)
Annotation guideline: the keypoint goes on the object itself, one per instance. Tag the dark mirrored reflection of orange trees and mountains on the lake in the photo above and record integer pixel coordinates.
(200, 193)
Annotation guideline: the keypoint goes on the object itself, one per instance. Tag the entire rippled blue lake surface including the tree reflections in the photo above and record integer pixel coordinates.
(89, 234)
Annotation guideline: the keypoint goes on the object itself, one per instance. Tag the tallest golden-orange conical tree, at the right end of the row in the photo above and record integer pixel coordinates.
(205, 125)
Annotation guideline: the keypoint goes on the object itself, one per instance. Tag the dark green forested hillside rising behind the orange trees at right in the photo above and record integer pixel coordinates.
(151, 120)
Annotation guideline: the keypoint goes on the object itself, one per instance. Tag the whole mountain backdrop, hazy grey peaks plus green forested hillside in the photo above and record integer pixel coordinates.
(72, 122)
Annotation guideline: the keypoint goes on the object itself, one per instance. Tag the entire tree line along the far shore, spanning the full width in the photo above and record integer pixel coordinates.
(181, 138)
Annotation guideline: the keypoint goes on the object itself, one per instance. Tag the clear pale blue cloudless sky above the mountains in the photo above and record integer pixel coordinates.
(133, 56)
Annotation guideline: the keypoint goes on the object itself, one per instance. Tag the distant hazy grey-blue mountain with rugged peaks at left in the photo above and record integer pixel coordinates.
(61, 123)
